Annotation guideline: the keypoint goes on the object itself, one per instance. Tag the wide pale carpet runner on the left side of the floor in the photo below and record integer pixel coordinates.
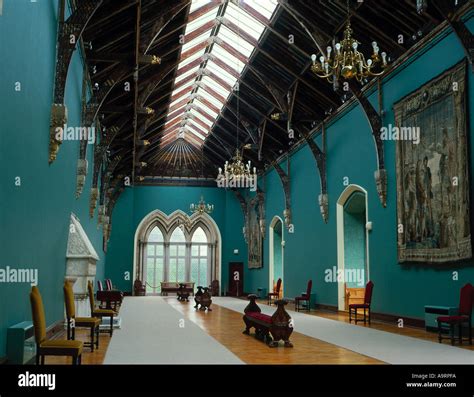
(153, 332)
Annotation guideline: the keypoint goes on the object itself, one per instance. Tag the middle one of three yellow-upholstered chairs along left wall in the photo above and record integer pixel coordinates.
(73, 322)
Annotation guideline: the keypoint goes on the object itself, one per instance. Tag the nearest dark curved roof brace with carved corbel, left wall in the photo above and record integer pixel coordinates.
(69, 34)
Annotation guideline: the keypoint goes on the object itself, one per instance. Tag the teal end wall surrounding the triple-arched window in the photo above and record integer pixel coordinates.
(135, 203)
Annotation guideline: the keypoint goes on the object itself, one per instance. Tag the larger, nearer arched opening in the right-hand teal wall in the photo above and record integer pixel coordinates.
(352, 245)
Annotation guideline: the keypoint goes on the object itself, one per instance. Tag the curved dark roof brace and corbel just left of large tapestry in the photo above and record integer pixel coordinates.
(375, 121)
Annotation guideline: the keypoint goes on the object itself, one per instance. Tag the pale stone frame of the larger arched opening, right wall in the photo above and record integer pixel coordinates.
(348, 191)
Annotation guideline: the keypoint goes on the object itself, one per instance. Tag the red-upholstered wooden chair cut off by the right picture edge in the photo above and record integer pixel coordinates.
(464, 316)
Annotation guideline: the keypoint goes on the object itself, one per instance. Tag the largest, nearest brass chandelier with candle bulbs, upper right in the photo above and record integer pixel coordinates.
(345, 61)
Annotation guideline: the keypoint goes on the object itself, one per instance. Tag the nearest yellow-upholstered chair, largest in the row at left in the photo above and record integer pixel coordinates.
(46, 347)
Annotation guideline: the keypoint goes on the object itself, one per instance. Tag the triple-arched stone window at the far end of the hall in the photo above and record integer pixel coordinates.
(176, 248)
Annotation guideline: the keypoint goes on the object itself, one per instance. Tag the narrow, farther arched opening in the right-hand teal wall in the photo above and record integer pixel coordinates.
(276, 251)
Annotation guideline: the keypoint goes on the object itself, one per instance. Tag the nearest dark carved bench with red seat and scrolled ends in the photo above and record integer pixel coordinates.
(270, 329)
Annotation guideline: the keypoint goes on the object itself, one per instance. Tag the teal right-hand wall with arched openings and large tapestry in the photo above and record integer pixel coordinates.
(312, 248)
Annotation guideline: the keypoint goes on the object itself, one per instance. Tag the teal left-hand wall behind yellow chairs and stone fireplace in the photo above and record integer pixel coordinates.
(34, 217)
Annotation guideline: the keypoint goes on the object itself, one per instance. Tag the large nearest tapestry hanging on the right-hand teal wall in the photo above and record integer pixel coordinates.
(433, 171)
